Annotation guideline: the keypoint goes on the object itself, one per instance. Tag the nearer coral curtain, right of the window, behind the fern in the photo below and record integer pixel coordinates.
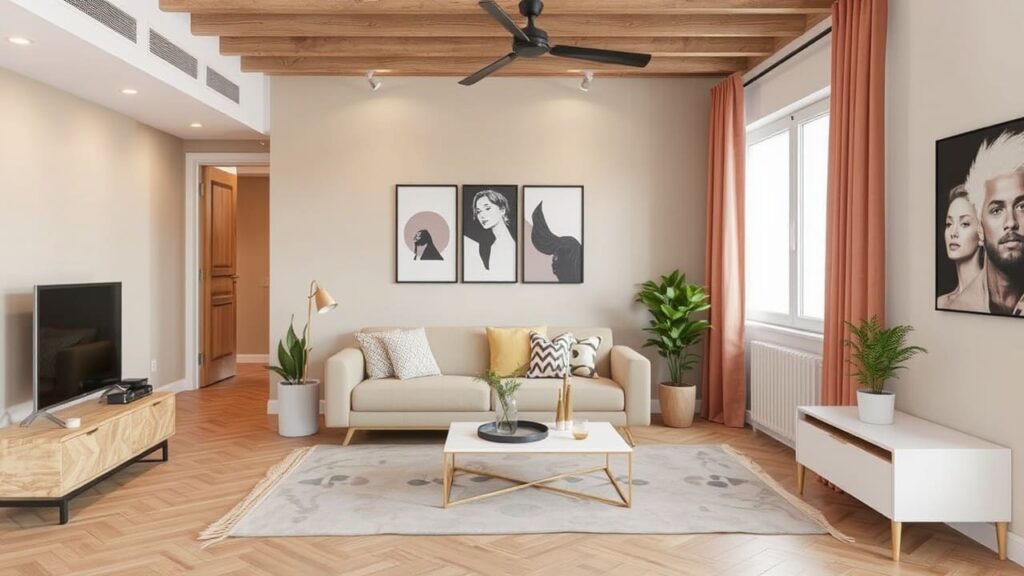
(856, 253)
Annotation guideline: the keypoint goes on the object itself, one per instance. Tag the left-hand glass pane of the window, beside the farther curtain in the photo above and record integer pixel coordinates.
(769, 225)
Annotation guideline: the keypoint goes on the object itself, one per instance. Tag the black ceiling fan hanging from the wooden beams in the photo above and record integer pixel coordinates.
(531, 43)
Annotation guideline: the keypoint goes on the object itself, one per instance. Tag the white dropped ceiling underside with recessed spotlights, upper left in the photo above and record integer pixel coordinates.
(68, 63)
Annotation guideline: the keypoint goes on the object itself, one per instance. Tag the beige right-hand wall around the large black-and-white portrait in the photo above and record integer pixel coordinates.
(953, 67)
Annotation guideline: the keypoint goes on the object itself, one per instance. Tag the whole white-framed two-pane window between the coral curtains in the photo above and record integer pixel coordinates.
(787, 183)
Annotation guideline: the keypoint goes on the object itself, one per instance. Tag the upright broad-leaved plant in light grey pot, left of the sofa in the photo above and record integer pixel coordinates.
(298, 398)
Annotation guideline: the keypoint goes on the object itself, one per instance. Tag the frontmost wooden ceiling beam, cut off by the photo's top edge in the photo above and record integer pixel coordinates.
(511, 7)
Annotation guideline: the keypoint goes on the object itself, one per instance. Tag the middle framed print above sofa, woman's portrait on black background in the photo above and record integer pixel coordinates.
(489, 234)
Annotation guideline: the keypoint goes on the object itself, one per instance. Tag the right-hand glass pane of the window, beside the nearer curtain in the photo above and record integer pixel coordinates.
(815, 176)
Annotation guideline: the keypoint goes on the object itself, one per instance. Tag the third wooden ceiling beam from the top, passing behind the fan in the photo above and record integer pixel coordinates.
(476, 48)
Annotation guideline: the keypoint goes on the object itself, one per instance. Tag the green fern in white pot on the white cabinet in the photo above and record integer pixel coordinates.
(877, 354)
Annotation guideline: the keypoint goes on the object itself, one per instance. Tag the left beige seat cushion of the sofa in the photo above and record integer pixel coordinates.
(431, 394)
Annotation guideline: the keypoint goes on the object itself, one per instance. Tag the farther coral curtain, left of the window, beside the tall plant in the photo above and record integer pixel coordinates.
(724, 397)
